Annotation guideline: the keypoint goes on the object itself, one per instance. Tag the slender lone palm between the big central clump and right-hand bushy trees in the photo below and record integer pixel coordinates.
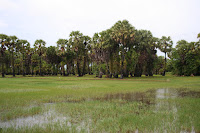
(166, 47)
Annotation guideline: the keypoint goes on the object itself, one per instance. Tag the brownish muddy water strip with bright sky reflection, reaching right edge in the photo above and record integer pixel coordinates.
(150, 96)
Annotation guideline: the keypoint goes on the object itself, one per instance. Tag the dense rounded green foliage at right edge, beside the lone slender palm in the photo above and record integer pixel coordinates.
(185, 58)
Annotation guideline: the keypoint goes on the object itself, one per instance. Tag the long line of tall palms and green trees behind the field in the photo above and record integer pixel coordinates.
(121, 51)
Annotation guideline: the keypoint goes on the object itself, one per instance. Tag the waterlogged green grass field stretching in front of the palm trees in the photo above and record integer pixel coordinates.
(88, 104)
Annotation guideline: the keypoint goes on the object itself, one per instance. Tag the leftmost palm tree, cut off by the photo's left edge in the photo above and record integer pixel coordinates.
(3, 39)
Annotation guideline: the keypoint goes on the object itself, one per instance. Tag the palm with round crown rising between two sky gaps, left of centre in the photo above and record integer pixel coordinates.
(39, 47)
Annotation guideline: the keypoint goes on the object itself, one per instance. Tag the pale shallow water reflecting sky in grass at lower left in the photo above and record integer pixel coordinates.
(42, 120)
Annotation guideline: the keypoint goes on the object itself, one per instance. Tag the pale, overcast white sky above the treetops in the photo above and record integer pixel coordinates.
(53, 19)
